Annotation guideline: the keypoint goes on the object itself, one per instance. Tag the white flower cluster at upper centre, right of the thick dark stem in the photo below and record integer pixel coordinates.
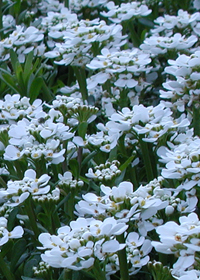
(122, 68)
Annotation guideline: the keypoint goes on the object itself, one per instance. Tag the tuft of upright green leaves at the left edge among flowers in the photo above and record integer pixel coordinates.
(27, 79)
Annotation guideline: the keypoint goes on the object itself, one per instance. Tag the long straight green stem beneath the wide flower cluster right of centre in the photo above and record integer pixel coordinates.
(147, 159)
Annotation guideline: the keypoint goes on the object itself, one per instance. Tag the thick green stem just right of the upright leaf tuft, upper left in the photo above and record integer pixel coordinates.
(81, 78)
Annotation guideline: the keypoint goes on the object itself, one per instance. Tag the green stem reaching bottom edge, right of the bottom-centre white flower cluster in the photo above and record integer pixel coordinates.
(124, 275)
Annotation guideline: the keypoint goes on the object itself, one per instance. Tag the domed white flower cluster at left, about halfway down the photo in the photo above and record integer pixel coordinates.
(37, 138)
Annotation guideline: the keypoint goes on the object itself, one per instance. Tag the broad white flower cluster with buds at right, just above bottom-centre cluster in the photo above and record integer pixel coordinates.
(140, 206)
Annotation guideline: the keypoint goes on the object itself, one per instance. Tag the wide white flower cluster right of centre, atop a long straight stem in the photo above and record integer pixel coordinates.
(150, 122)
